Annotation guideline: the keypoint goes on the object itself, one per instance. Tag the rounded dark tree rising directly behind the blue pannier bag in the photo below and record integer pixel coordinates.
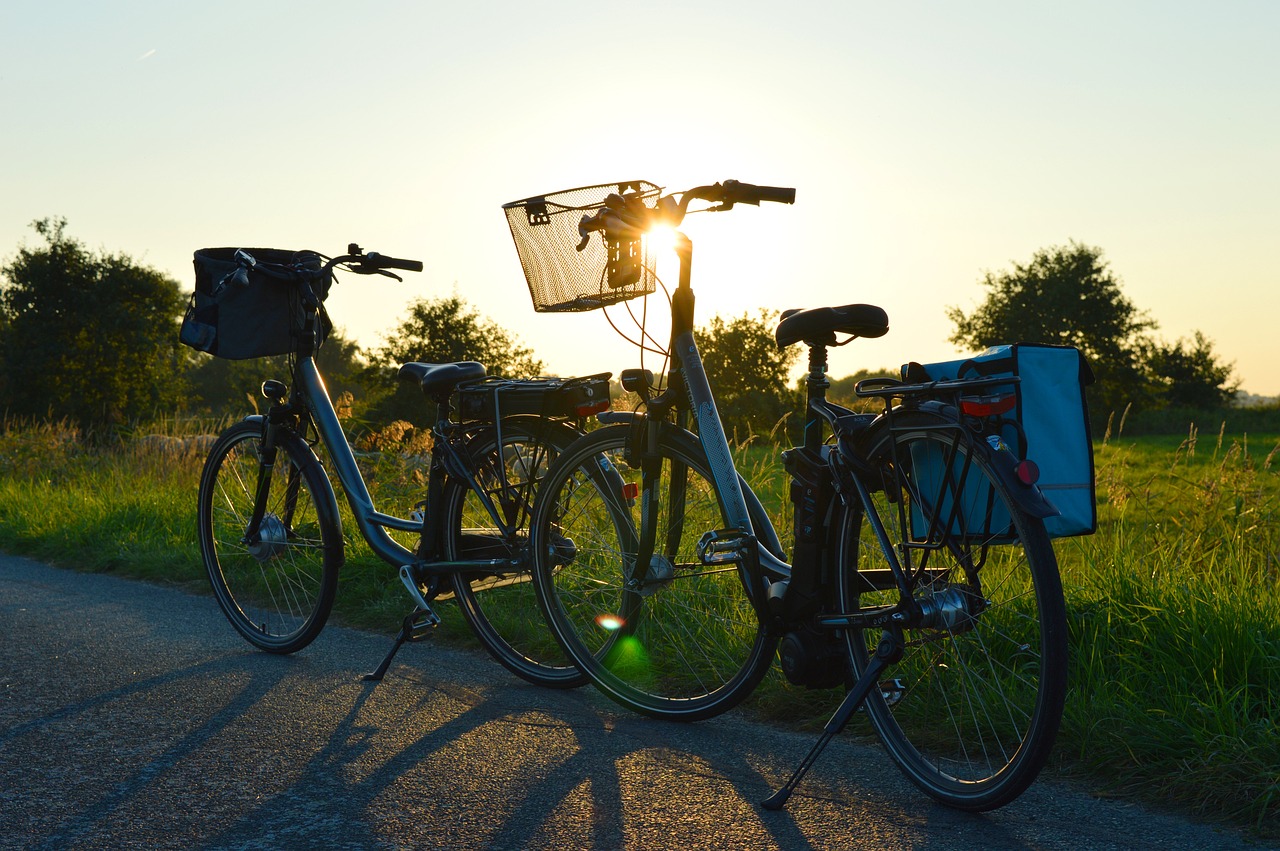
(1067, 295)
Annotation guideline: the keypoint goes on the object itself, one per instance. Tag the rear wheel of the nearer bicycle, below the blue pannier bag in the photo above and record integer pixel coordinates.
(972, 710)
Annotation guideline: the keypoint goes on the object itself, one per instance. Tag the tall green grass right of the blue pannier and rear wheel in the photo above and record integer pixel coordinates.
(1176, 620)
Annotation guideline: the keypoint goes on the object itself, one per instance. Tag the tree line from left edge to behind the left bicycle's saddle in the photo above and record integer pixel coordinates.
(92, 337)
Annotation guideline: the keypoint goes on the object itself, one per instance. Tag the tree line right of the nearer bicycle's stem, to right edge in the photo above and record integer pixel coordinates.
(1066, 295)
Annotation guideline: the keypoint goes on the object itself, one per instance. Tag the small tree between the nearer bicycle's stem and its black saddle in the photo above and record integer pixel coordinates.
(748, 372)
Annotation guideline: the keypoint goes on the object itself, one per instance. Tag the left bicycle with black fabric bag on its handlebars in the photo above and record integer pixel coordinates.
(271, 532)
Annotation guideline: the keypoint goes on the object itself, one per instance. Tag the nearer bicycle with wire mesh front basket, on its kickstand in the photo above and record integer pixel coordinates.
(922, 577)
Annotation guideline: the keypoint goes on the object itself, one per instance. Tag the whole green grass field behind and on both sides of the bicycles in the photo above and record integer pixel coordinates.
(1174, 606)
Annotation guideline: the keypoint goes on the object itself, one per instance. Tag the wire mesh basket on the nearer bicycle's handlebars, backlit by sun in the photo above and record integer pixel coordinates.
(564, 280)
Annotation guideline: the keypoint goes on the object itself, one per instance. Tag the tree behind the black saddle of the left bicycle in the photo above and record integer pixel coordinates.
(440, 332)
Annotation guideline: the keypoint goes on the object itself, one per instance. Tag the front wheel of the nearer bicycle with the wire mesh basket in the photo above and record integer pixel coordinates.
(685, 646)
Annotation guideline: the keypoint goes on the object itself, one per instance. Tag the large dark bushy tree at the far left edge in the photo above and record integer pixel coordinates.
(89, 337)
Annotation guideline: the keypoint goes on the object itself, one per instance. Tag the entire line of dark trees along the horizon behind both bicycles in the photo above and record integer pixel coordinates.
(93, 338)
